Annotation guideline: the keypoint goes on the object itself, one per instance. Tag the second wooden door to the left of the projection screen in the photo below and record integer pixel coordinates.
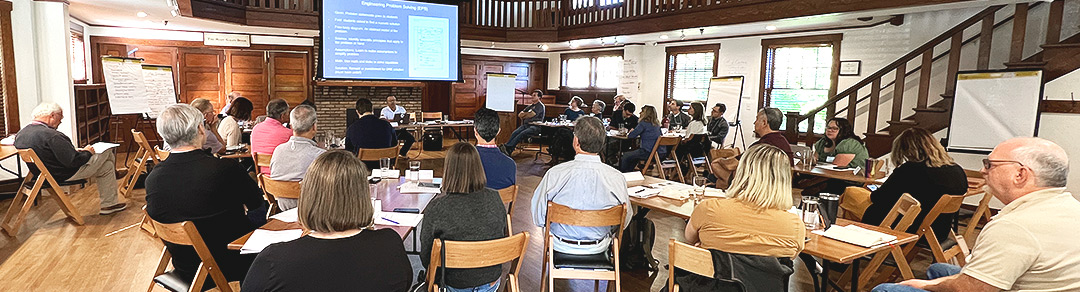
(246, 72)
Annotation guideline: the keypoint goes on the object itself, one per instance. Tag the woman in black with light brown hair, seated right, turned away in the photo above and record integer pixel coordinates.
(927, 172)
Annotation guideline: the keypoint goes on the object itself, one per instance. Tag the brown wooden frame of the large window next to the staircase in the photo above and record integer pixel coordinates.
(768, 45)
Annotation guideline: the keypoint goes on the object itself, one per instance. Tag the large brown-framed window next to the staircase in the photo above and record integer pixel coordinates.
(801, 75)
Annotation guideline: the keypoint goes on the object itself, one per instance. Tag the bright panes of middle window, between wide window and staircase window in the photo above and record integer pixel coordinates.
(690, 71)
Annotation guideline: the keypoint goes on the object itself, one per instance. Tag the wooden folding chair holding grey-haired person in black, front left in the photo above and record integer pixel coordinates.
(186, 234)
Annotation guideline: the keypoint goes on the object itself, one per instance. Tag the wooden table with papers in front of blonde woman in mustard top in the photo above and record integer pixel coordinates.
(829, 250)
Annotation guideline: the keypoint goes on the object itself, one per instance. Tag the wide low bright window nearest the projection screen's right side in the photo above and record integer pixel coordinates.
(599, 71)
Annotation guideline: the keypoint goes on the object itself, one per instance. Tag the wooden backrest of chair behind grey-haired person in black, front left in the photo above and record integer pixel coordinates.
(185, 234)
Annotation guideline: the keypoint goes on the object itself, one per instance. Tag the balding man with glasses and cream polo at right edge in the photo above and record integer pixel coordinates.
(1032, 244)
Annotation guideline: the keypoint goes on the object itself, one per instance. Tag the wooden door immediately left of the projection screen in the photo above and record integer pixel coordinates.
(289, 77)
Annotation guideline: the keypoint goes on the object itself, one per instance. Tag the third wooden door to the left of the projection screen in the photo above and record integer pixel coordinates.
(201, 76)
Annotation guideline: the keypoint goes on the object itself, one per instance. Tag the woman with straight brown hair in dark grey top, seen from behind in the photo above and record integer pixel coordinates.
(467, 211)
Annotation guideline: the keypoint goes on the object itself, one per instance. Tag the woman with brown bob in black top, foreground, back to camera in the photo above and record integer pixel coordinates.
(343, 253)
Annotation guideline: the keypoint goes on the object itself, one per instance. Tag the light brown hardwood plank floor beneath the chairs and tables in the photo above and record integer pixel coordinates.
(51, 254)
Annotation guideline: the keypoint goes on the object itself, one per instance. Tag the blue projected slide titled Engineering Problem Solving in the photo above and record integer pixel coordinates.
(389, 41)
